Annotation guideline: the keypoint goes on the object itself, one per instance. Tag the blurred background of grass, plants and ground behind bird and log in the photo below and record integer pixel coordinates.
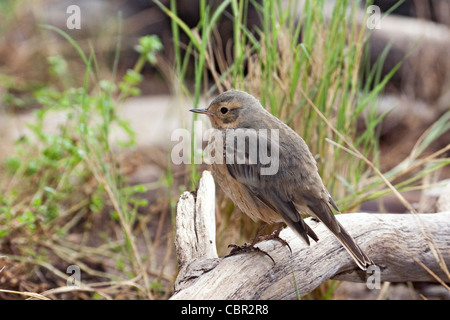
(91, 92)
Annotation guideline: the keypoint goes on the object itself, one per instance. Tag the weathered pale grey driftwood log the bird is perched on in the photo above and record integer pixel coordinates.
(405, 247)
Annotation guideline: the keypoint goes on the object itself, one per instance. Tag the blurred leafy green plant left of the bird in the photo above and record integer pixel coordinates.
(55, 180)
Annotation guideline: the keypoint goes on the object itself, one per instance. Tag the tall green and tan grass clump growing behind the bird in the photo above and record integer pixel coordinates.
(307, 70)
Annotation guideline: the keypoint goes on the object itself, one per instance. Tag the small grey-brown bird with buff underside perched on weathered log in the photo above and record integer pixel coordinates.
(272, 191)
